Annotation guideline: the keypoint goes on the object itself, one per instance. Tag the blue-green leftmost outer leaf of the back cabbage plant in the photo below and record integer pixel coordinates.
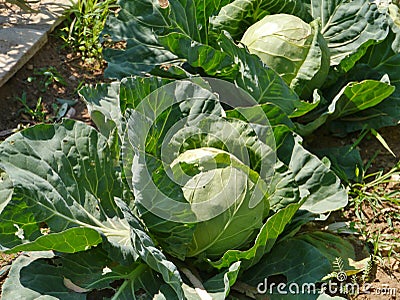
(137, 23)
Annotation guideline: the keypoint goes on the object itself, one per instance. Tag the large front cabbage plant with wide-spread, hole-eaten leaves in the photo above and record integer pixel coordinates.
(178, 193)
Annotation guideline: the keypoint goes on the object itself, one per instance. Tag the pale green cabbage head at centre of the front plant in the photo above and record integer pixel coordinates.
(219, 182)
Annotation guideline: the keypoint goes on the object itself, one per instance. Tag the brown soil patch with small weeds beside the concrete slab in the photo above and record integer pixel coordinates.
(30, 81)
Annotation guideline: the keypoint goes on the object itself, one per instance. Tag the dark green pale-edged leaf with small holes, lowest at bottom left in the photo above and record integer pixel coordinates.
(47, 276)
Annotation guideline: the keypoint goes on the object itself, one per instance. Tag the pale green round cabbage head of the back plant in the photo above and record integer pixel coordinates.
(297, 51)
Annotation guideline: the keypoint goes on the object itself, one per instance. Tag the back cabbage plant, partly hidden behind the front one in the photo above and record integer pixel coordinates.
(181, 39)
